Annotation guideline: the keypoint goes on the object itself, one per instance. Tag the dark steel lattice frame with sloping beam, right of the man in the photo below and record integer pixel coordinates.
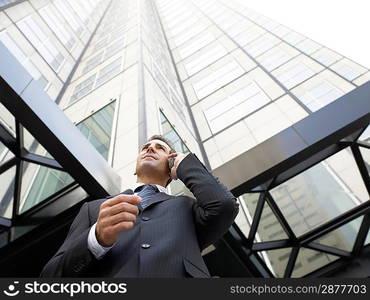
(311, 140)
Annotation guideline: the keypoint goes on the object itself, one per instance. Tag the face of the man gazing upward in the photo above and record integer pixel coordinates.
(153, 157)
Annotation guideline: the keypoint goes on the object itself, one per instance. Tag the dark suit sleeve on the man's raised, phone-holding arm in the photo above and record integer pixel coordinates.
(215, 208)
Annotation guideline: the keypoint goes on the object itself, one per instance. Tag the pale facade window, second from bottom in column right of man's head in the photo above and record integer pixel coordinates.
(217, 79)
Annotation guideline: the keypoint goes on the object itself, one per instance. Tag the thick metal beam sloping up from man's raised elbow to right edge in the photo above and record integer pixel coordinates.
(298, 143)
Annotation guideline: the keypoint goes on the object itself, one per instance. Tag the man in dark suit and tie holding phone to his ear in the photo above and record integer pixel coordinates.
(144, 231)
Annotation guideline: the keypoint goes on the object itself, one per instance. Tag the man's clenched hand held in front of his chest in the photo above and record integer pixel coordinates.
(115, 215)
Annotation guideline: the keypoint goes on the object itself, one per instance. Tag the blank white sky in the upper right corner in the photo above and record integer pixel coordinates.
(342, 25)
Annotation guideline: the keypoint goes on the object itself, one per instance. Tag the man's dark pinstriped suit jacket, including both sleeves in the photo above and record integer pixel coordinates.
(177, 228)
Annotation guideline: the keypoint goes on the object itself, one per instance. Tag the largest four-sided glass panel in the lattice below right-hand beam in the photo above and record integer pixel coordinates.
(313, 197)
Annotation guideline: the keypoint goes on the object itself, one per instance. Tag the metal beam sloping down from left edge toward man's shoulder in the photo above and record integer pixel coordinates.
(49, 125)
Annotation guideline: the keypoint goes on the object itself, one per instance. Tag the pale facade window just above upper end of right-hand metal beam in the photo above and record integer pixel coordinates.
(320, 95)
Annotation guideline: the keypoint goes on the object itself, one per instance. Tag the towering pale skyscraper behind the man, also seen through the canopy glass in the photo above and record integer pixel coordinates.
(214, 77)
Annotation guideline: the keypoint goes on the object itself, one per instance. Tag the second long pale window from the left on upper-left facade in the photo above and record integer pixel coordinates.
(41, 42)
